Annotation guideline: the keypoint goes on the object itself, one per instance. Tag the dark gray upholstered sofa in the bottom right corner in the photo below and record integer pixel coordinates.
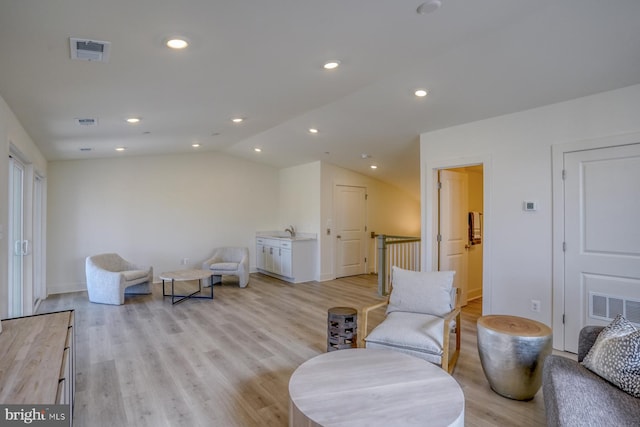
(575, 396)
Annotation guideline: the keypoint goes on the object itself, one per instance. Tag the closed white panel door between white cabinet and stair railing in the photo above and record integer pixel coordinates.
(350, 204)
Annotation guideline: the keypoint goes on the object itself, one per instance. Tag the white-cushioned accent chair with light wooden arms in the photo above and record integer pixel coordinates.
(422, 314)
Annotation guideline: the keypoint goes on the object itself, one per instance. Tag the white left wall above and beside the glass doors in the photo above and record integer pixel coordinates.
(12, 132)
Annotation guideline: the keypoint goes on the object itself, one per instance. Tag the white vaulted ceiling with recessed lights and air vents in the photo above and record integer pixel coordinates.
(263, 61)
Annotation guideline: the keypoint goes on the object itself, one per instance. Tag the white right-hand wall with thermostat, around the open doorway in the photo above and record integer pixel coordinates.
(516, 152)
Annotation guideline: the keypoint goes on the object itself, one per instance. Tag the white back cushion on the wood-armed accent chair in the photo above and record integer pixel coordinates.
(421, 292)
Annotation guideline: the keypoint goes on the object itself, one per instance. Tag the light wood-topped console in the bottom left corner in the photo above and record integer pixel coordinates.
(37, 360)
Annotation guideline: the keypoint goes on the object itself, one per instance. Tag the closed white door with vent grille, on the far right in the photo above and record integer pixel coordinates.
(602, 237)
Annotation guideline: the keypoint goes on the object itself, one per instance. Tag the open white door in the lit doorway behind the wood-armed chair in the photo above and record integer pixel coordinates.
(453, 227)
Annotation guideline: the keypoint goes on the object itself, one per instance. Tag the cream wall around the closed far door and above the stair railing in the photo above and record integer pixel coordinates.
(390, 210)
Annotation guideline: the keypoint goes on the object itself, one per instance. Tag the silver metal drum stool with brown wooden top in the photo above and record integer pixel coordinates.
(512, 351)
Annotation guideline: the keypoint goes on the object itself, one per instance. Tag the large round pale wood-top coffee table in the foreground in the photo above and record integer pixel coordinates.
(371, 387)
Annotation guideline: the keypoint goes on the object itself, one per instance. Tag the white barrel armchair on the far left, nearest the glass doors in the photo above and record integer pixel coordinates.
(109, 277)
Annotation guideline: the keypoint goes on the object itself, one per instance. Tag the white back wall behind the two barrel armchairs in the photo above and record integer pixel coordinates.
(154, 210)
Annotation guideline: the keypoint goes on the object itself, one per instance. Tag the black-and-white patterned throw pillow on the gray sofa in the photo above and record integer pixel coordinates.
(615, 356)
